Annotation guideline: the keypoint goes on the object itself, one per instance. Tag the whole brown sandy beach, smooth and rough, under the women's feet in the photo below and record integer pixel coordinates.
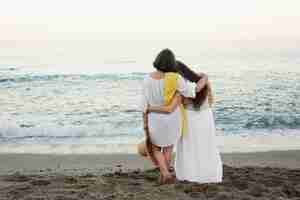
(262, 175)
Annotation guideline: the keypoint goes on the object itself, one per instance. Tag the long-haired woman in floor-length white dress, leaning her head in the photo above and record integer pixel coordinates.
(197, 156)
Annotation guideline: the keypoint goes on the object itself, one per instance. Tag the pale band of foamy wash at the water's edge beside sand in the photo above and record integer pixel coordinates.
(225, 143)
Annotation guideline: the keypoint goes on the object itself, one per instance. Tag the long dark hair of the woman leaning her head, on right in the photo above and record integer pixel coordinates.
(192, 76)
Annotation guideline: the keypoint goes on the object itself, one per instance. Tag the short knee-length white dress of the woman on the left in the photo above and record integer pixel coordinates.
(164, 129)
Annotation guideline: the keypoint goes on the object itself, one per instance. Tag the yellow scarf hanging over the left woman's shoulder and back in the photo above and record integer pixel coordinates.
(169, 92)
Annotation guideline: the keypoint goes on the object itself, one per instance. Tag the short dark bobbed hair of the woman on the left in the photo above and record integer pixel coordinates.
(165, 61)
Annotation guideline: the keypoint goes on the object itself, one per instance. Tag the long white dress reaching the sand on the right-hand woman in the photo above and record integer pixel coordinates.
(197, 156)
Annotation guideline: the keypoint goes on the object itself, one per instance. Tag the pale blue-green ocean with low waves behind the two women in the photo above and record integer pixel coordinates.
(57, 110)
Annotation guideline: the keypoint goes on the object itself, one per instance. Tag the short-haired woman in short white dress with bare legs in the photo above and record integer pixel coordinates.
(163, 129)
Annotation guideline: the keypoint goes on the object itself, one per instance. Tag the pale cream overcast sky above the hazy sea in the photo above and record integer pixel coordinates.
(112, 19)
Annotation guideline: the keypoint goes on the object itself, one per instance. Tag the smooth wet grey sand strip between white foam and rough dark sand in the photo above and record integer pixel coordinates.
(109, 162)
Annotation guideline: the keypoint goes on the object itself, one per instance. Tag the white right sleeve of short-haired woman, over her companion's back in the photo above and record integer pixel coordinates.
(186, 88)
